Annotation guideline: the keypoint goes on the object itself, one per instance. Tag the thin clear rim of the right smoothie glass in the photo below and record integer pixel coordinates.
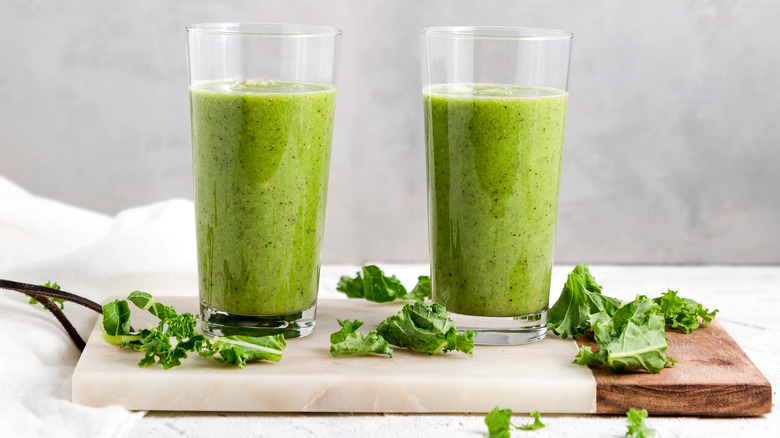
(497, 32)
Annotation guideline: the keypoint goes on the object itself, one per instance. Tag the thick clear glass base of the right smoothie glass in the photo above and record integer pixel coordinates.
(509, 330)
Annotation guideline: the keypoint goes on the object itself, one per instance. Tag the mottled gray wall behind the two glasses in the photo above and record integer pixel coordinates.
(671, 152)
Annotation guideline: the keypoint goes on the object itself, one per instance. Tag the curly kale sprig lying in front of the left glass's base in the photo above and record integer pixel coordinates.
(175, 336)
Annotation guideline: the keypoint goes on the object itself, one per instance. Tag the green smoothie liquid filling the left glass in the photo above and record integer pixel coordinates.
(261, 151)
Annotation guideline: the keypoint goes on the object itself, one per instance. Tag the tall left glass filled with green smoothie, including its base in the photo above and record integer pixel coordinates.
(262, 99)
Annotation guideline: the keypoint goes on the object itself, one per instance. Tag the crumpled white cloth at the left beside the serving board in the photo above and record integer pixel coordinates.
(150, 248)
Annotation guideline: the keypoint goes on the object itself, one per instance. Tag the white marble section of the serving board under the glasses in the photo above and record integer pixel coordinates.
(523, 378)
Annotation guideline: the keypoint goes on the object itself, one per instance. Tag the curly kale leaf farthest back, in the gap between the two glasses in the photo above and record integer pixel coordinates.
(372, 284)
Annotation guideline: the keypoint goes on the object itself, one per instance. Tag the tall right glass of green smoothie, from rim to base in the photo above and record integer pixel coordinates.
(495, 108)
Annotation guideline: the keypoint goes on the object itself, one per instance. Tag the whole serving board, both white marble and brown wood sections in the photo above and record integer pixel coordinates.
(713, 377)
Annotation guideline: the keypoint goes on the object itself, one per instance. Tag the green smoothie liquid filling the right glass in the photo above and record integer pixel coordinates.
(494, 158)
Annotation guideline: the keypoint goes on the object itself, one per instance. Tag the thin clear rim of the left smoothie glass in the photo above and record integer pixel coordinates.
(261, 30)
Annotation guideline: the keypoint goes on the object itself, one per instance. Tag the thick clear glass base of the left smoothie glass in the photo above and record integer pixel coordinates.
(293, 325)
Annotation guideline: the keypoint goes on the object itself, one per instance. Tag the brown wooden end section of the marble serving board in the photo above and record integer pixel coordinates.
(713, 377)
